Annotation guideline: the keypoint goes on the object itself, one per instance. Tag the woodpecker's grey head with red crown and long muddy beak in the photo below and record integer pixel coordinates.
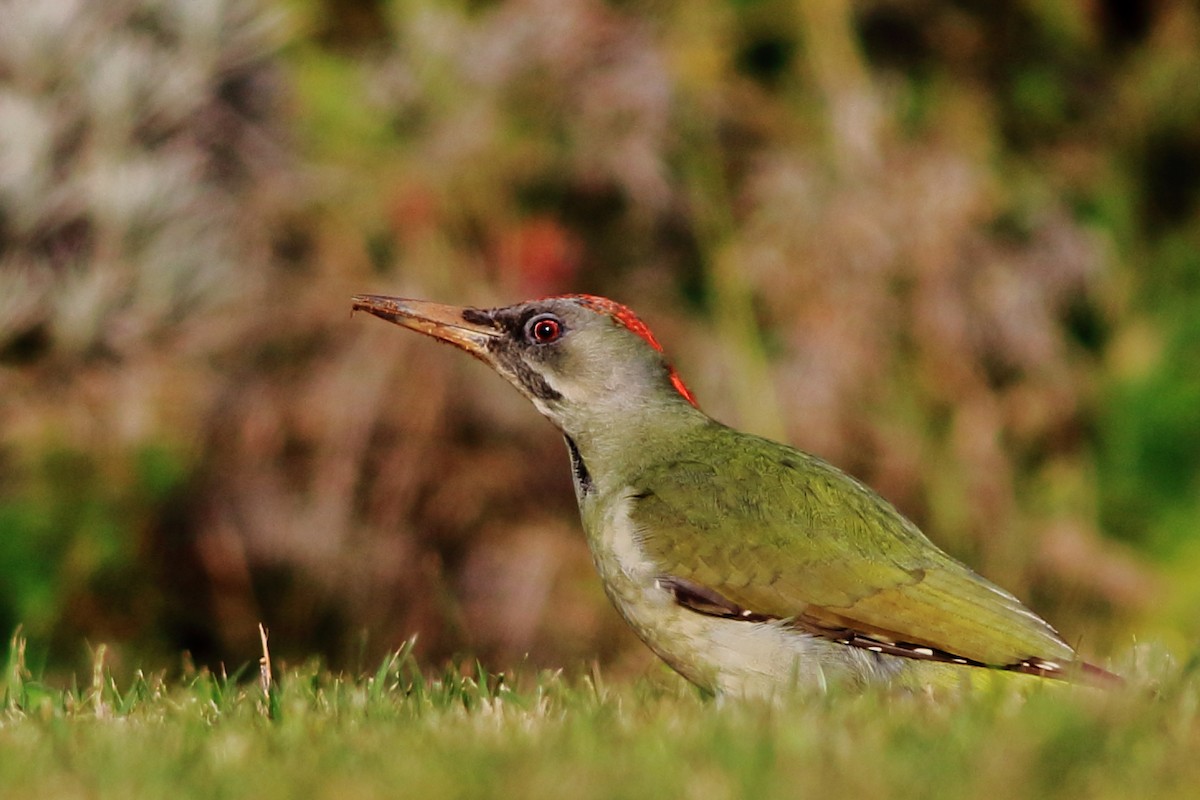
(580, 359)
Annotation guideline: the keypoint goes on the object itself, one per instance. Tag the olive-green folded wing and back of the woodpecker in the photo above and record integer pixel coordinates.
(803, 540)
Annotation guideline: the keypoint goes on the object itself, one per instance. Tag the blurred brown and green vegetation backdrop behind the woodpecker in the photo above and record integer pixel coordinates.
(953, 248)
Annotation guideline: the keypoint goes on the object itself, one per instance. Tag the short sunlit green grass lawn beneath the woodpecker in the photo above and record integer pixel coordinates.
(466, 733)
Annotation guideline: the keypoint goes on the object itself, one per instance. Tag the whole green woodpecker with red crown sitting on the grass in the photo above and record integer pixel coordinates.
(747, 566)
